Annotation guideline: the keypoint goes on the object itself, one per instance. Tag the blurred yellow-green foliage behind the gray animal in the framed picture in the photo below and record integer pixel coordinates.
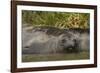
(56, 19)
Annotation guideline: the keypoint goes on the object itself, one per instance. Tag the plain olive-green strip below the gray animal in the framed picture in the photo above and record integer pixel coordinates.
(55, 57)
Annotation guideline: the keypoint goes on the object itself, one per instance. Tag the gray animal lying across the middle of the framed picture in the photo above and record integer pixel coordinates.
(45, 40)
